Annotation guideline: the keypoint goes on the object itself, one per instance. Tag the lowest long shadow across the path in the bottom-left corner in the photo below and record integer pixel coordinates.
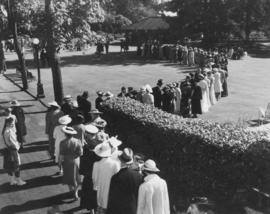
(36, 204)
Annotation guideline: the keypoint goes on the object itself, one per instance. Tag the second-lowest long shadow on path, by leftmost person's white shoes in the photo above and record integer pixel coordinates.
(31, 183)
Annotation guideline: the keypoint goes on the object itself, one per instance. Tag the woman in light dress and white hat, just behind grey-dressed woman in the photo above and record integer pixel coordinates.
(58, 136)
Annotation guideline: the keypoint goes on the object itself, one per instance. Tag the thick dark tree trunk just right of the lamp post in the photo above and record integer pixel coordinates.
(54, 61)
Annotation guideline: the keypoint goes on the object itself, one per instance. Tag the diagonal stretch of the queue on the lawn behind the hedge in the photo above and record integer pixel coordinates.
(195, 95)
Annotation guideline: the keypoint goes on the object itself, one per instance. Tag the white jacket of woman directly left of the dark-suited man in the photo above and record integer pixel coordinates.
(103, 171)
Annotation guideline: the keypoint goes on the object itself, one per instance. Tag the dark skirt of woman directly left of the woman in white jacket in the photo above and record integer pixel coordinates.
(88, 195)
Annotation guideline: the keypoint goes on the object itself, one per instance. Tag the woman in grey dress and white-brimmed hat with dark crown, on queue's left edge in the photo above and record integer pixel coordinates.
(70, 151)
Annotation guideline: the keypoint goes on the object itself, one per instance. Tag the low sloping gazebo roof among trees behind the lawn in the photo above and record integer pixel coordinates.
(150, 23)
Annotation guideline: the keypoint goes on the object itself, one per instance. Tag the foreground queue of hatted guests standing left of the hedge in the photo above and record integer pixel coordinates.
(112, 181)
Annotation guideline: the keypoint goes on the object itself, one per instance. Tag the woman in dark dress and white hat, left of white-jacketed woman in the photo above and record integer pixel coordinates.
(88, 194)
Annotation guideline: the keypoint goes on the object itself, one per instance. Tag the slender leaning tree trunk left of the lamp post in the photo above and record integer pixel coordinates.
(13, 27)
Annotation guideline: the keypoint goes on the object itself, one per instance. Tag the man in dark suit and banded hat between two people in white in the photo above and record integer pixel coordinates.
(124, 187)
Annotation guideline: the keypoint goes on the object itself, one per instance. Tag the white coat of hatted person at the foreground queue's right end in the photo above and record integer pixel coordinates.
(153, 196)
